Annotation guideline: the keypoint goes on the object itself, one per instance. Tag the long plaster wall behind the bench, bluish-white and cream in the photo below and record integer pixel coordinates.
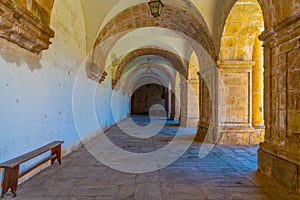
(36, 91)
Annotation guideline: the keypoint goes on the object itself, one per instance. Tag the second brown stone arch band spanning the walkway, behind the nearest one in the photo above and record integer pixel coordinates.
(176, 61)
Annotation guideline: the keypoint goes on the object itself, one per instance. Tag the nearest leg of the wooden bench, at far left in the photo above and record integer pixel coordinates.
(10, 181)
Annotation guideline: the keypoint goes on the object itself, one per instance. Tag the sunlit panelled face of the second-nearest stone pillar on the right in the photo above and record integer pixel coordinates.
(235, 125)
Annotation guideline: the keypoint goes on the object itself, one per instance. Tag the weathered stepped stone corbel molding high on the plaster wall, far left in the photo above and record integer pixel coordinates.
(21, 27)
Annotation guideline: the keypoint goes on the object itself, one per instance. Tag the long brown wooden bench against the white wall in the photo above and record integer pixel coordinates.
(11, 167)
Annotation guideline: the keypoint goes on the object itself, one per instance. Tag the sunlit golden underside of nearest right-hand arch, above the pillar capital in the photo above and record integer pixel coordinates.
(243, 25)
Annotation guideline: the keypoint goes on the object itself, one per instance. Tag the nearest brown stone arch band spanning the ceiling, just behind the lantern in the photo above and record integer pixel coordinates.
(139, 16)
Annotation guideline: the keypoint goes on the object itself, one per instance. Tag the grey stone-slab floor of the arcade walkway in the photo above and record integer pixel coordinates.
(227, 172)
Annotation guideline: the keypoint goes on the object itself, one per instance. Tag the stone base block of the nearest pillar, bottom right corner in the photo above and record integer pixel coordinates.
(277, 164)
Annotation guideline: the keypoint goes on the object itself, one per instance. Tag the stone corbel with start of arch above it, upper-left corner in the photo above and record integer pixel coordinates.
(26, 23)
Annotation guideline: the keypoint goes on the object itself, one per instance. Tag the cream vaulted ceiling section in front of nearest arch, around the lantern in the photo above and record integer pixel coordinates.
(212, 13)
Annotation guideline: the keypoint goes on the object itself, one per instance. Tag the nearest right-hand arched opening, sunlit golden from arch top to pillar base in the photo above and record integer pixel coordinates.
(241, 69)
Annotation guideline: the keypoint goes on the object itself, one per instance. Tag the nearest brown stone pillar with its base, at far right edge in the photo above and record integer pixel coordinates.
(278, 155)
